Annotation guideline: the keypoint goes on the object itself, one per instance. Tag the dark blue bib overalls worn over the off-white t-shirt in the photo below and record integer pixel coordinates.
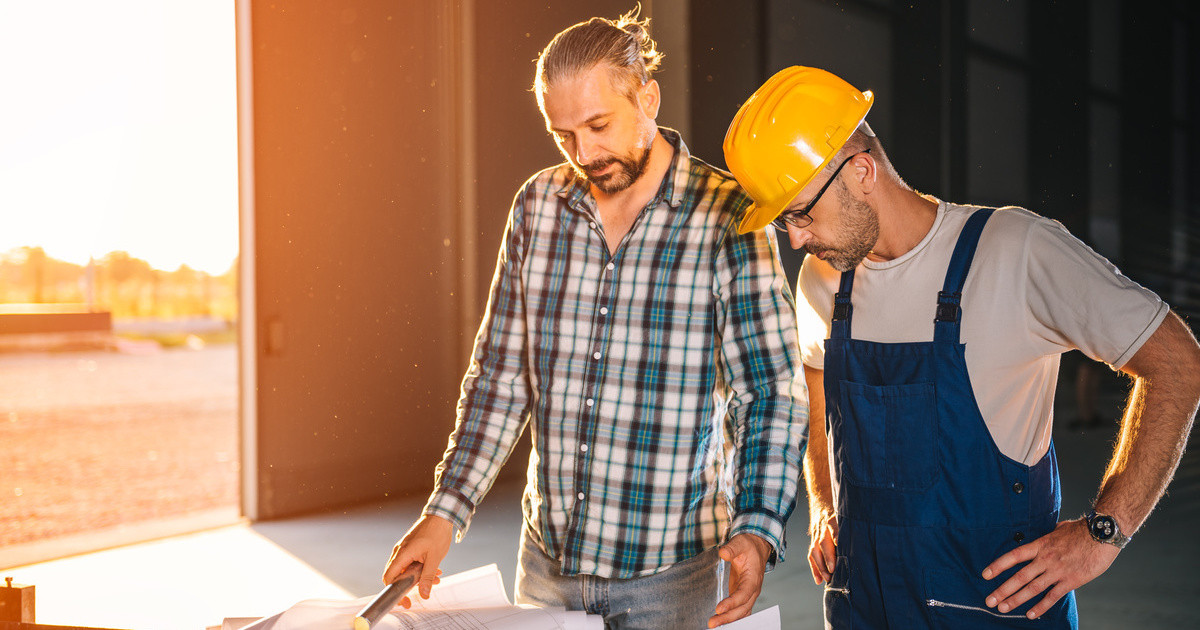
(925, 497)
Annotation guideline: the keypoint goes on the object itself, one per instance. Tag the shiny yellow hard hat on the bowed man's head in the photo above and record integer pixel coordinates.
(787, 134)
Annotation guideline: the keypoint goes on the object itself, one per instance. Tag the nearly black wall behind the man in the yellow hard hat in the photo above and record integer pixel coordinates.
(1081, 111)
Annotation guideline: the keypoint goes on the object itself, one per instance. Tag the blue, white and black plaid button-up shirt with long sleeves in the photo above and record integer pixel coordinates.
(663, 381)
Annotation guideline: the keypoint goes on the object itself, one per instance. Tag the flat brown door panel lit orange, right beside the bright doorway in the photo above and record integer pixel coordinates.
(352, 274)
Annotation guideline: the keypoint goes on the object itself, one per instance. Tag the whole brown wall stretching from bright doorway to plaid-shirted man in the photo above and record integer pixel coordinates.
(381, 194)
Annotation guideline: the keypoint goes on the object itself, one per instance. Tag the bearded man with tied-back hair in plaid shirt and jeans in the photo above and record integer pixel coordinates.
(651, 349)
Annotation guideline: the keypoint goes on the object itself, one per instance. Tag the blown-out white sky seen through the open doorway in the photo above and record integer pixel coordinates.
(118, 130)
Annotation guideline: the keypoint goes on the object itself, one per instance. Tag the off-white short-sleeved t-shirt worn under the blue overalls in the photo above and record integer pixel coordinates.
(1034, 293)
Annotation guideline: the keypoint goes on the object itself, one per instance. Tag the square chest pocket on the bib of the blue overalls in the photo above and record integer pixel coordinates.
(890, 435)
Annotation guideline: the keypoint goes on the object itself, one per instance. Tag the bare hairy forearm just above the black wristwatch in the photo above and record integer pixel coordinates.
(1156, 425)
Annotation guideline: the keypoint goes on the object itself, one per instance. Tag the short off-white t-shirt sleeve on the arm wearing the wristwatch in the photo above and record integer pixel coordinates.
(1079, 301)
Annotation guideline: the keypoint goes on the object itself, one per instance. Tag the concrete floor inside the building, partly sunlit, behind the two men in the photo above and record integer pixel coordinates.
(195, 581)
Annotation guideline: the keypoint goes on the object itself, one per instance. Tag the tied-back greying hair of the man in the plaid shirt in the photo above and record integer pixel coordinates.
(623, 45)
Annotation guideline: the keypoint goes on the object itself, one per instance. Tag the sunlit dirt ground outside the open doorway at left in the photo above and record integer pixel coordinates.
(97, 440)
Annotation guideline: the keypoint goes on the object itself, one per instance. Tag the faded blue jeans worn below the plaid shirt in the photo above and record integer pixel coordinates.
(683, 597)
